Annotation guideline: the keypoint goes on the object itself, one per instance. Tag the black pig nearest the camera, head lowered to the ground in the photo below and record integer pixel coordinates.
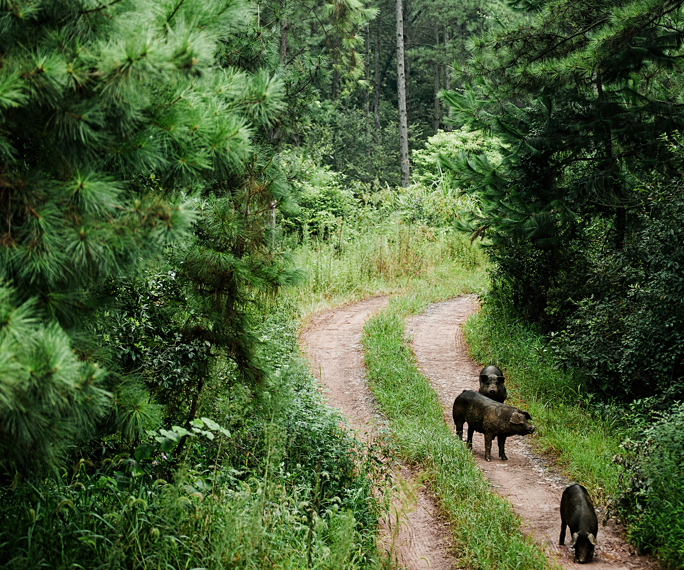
(578, 513)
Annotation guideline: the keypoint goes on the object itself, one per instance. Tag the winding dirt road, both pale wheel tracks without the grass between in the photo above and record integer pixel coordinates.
(332, 342)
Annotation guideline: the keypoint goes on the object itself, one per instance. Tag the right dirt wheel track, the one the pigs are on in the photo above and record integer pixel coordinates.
(526, 480)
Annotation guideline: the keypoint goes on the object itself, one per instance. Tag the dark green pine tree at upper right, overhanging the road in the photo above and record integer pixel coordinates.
(582, 104)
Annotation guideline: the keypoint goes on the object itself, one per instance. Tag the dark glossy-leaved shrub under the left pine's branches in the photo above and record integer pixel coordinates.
(144, 337)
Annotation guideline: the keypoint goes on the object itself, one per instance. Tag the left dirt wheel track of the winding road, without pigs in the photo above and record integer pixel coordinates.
(332, 341)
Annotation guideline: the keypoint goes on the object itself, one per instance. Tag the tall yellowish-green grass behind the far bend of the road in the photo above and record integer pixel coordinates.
(355, 260)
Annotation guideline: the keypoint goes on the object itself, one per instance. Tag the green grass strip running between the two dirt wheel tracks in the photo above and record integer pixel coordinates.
(485, 531)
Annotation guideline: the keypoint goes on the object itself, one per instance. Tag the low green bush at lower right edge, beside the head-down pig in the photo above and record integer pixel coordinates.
(653, 485)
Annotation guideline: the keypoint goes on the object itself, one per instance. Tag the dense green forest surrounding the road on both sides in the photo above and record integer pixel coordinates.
(178, 178)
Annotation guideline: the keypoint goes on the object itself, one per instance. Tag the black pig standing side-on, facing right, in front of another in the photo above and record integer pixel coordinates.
(484, 415)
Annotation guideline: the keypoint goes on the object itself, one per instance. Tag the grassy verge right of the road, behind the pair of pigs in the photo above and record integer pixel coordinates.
(580, 437)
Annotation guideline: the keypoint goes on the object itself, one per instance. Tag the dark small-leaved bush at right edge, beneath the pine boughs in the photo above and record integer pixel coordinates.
(629, 335)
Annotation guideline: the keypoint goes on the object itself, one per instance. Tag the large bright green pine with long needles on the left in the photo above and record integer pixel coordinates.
(95, 97)
